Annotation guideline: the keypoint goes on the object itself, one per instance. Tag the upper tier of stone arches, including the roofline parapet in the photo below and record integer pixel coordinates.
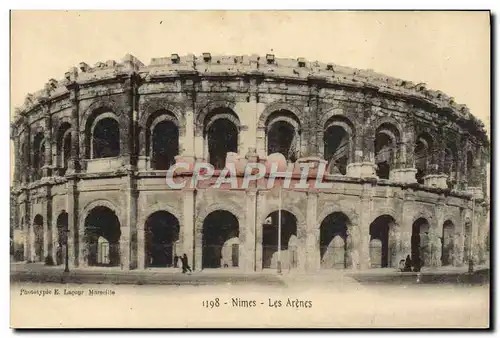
(368, 124)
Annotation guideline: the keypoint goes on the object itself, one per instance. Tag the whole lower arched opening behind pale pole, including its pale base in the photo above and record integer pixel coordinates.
(288, 253)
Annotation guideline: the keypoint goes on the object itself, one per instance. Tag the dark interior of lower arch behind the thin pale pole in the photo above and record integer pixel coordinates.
(270, 236)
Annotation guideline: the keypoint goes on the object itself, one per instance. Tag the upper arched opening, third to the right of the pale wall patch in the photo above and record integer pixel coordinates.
(386, 139)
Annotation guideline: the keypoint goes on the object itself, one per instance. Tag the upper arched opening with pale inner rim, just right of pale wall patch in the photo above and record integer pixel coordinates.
(283, 135)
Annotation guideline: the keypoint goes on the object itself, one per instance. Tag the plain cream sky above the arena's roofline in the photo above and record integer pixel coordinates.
(449, 51)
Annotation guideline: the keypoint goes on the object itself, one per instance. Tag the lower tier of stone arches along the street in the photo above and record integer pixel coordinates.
(137, 223)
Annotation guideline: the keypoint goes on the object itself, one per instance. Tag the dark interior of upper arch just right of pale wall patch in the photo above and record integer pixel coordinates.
(281, 139)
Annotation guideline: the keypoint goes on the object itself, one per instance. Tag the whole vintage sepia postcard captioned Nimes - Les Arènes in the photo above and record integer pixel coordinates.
(250, 169)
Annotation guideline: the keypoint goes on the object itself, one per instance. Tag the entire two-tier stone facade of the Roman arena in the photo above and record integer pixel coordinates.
(404, 160)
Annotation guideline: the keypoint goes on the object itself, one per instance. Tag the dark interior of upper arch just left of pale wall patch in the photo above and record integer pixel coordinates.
(222, 138)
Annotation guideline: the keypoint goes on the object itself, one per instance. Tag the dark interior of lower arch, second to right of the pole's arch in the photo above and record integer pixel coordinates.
(379, 234)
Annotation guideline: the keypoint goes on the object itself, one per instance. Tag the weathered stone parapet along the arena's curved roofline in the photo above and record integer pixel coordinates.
(207, 65)
